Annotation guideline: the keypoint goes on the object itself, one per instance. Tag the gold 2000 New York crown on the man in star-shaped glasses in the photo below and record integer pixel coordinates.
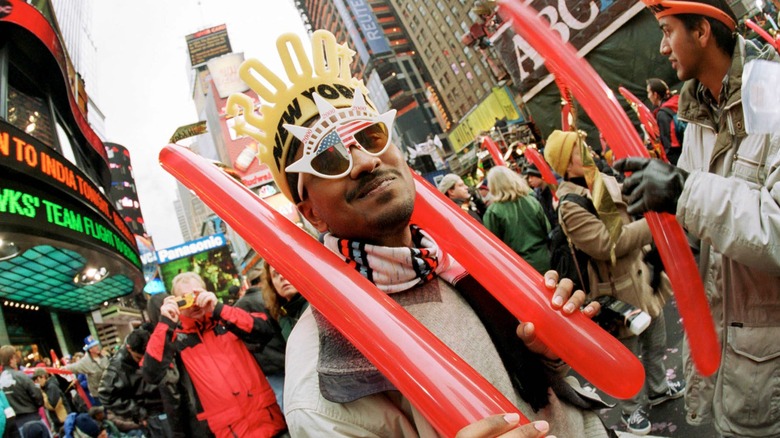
(327, 77)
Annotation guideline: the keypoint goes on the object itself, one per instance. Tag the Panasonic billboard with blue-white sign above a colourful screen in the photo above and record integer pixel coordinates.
(209, 257)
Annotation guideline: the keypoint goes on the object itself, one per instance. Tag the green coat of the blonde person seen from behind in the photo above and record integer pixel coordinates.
(523, 226)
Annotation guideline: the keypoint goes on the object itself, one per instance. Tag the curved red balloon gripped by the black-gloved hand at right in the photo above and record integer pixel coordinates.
(600, 103)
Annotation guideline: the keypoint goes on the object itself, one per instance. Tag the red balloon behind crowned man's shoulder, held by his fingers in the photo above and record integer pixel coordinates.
(598, 356)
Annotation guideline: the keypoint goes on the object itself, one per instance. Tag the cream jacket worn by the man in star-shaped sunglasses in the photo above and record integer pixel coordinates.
(389, 414)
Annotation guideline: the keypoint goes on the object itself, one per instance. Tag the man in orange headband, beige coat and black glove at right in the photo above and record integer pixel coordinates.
(726, 192)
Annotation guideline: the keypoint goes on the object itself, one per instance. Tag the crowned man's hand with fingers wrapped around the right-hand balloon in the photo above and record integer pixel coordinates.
(562, 299)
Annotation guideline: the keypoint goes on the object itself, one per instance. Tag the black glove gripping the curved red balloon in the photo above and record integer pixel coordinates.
(654, 185)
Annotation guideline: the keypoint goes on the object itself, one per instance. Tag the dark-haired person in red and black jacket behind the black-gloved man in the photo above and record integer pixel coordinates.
(665, 109)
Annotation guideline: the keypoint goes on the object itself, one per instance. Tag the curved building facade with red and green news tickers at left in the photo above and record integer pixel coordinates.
(65, 250)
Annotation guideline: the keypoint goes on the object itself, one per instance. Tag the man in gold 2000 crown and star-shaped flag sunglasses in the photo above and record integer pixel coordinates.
(331, 152)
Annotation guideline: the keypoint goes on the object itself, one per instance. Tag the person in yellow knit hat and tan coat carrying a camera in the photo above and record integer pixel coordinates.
(616, 268)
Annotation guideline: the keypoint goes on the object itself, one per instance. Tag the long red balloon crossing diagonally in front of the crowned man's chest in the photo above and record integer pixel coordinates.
(448, 392)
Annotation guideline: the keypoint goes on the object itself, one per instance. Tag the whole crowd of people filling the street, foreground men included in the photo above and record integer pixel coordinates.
(266, 364)
